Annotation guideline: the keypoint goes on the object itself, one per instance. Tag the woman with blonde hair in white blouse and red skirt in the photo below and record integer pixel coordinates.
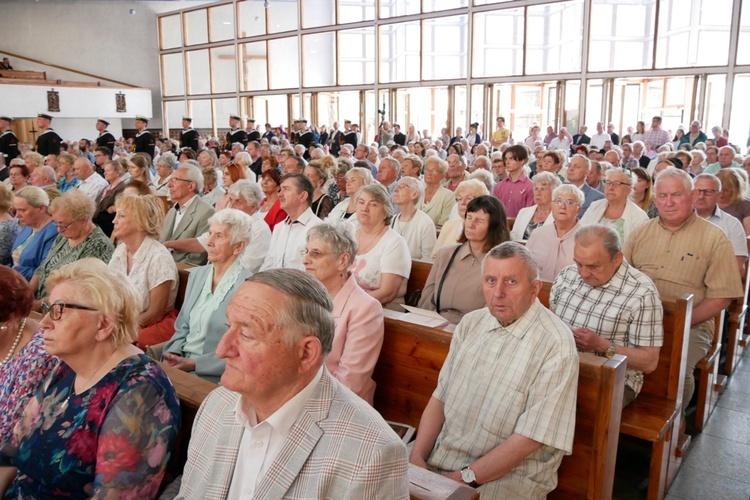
(147, 263)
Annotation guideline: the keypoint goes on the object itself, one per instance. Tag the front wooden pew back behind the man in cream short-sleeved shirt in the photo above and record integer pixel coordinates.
(407, 373)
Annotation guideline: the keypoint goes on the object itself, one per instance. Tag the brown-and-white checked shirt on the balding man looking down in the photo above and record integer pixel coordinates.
(626, 310)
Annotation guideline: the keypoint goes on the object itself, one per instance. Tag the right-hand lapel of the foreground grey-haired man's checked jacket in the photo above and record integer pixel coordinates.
(303, 436)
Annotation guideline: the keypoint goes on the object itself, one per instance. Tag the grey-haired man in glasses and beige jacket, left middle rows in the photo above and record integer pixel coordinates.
(188, 218)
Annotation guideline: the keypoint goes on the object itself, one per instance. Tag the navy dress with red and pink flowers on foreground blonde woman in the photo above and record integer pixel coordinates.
(111, 440)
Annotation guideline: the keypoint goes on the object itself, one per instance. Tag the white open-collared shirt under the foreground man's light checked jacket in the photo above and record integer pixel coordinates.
(262, 442)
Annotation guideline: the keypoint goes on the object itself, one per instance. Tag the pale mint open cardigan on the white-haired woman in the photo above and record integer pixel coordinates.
(207, 366)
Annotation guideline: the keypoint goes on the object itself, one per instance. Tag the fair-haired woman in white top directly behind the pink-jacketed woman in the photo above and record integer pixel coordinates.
(383, 263)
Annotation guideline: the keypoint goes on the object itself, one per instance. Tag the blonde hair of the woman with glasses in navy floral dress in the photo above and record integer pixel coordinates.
(109, 291)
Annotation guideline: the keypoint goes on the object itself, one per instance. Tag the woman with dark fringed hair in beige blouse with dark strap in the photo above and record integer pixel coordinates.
(454, 285)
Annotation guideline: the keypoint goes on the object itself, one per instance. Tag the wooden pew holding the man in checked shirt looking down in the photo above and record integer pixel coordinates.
(656, 414)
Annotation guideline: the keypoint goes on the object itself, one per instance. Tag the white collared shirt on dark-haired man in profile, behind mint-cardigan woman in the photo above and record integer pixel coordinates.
(288, 240)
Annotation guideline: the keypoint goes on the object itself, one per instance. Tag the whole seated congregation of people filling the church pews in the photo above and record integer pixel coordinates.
(298, 243)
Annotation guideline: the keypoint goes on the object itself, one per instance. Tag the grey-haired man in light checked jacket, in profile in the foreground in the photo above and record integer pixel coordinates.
(280, 425)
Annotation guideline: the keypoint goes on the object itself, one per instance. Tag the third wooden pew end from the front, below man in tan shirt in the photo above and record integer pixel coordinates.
(710, 383)
